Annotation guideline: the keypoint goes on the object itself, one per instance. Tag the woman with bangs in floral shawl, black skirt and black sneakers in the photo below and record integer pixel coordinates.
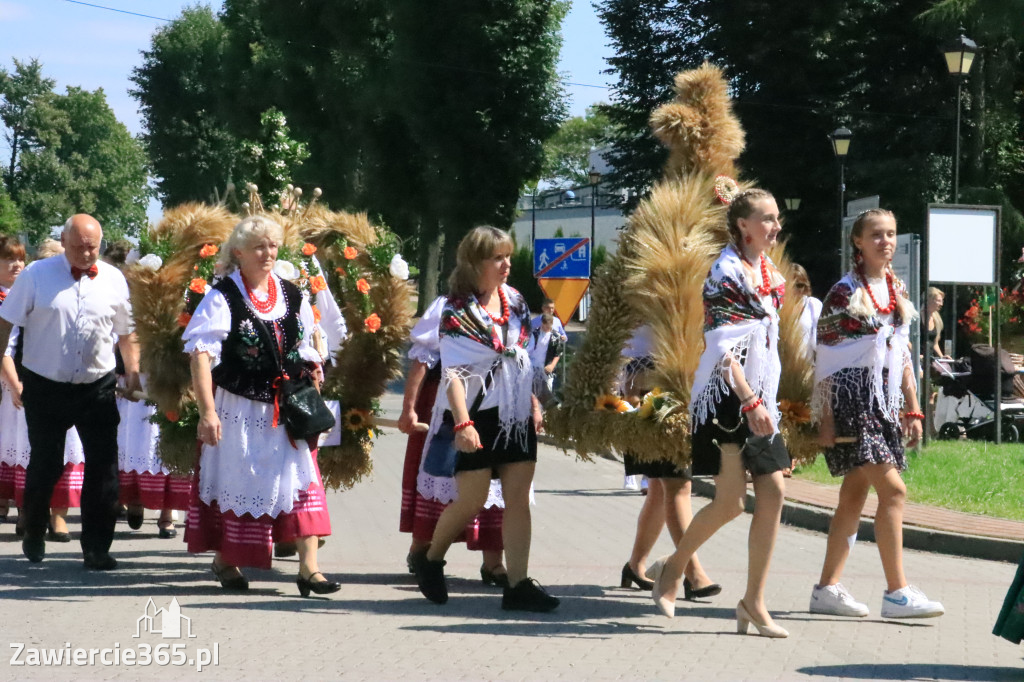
(485, 330)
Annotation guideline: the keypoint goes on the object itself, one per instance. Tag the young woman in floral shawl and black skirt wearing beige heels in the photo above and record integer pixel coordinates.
(734, 411)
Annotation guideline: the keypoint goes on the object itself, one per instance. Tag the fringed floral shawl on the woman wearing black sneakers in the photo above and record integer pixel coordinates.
(472, 346)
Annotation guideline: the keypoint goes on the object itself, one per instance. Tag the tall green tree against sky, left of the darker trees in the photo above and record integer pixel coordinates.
(183, 98)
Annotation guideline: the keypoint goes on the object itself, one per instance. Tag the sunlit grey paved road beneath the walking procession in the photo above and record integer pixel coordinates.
(378, 627)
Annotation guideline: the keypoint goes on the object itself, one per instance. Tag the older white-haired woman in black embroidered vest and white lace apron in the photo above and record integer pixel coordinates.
(254, 485)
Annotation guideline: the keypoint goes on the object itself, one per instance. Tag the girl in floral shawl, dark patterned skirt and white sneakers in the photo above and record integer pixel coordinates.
(864, 378)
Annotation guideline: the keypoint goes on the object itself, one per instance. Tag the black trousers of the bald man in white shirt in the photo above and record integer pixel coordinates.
(51, 409)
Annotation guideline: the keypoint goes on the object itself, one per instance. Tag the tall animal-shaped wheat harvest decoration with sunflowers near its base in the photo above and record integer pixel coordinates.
(657, 278)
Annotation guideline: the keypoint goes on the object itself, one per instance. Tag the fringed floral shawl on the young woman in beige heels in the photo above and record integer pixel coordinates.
(742, 326)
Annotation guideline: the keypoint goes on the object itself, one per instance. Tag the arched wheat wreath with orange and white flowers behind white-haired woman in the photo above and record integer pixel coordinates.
(323, 250)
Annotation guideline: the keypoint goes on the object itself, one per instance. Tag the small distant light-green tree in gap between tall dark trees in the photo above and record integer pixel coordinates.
(567, 154)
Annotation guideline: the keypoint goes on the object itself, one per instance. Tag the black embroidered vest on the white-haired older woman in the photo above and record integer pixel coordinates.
(248, 360)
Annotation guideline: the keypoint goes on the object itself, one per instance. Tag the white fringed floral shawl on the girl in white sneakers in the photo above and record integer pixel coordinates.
(851, 334)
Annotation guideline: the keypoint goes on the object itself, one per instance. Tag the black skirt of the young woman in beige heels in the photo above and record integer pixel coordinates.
(761, 455)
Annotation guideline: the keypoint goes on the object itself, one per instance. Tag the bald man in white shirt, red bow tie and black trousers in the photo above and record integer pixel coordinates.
(69, 309)
